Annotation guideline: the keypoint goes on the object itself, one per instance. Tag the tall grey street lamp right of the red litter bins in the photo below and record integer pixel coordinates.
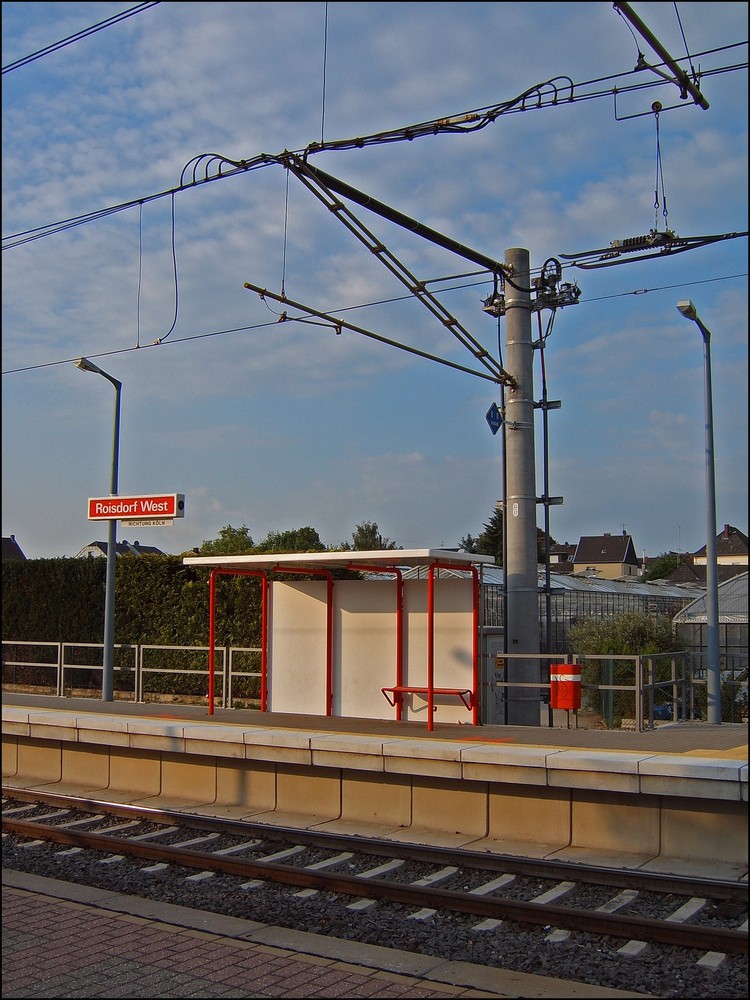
(713, 661)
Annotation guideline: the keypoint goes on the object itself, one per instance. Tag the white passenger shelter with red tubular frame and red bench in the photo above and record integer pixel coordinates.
(376, 648)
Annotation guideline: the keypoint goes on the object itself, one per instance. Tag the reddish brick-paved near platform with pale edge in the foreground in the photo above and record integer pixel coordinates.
(63, 940)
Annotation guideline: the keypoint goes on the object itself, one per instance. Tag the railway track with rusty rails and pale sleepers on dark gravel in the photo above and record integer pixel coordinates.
(623, 914)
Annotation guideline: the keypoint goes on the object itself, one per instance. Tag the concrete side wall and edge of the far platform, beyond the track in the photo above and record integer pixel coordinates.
(607, 808)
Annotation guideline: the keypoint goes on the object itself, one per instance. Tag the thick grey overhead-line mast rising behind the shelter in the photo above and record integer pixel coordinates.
(521, 581)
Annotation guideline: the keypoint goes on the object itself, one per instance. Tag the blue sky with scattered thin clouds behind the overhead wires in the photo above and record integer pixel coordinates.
(275, 425)
